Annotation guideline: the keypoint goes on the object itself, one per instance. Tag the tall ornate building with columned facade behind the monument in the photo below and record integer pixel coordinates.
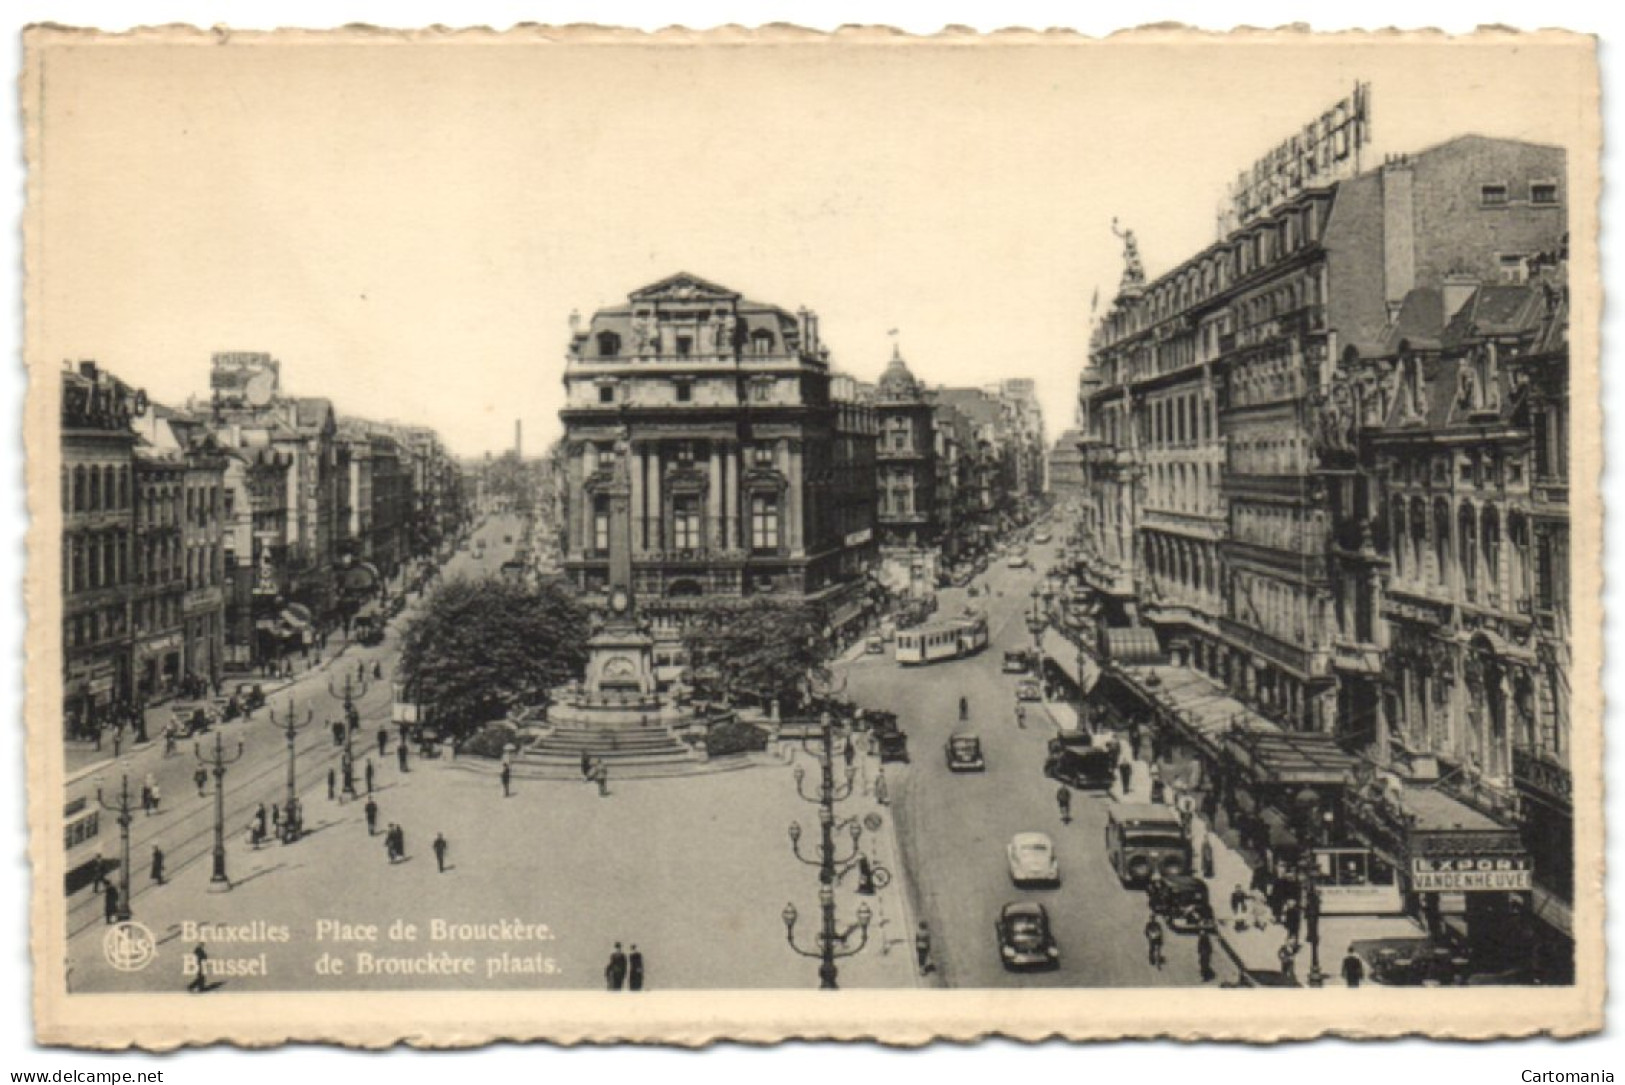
(732, 431)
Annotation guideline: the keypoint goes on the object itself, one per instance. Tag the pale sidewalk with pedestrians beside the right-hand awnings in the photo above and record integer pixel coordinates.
(1254, 940)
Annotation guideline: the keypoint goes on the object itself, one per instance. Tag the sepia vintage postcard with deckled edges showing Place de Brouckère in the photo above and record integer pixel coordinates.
(587, 535)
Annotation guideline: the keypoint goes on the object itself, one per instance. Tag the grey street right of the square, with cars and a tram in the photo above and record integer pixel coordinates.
(955, 826)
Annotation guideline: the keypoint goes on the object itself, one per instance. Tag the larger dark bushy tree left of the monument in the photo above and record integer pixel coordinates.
(483, 647)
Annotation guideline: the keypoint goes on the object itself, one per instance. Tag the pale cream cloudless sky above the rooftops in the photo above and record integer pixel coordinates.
(409, 227)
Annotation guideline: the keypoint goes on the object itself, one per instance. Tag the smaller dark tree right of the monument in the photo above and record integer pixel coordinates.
(760, 649)
